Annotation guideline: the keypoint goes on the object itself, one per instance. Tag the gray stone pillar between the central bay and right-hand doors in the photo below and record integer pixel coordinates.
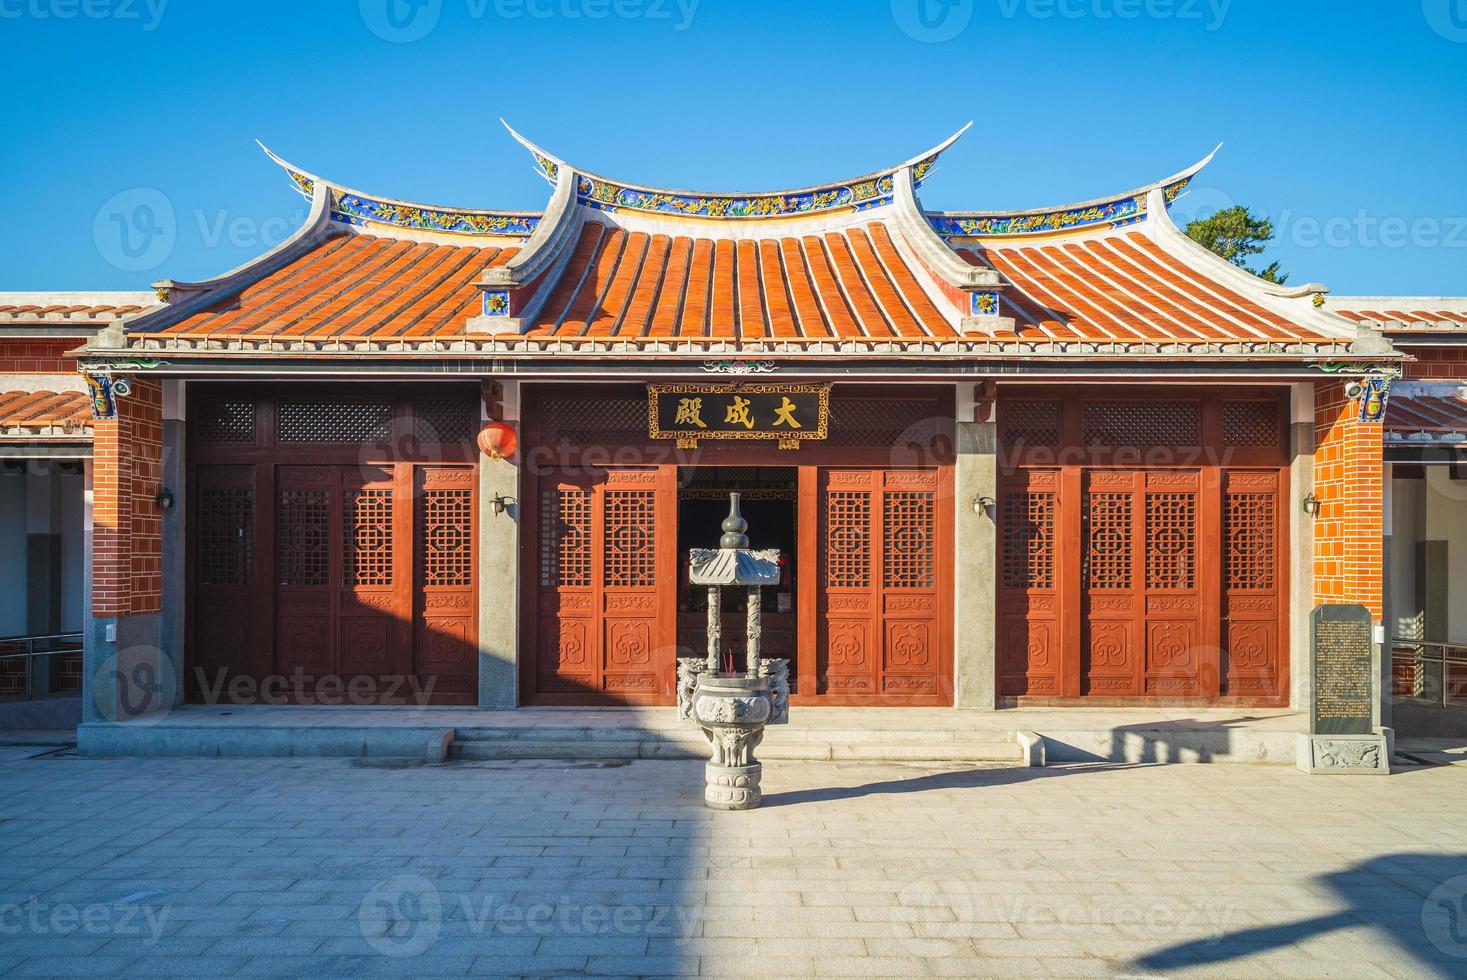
(975, 560)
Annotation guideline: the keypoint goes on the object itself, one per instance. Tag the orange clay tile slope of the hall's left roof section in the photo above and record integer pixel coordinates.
(356, 287)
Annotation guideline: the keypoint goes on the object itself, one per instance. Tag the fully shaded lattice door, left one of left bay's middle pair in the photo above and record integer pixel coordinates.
(307, 567)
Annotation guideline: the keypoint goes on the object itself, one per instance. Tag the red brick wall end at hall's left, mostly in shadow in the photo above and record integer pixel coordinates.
(127, 524)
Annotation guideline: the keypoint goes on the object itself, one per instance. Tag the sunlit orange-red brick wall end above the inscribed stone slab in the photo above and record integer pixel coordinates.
(1349, 475)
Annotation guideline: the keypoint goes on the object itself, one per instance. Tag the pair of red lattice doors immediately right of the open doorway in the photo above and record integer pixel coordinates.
(882, 599)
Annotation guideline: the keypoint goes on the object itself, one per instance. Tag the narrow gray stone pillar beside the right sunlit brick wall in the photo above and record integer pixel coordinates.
(1302, 545)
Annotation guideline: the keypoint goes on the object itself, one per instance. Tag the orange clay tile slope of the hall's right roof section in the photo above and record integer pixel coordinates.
(1124, 288)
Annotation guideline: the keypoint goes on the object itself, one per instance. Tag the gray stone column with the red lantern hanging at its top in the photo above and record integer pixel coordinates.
(500, 570)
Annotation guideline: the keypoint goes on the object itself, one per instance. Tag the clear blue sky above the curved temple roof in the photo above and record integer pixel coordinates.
(1343, 120)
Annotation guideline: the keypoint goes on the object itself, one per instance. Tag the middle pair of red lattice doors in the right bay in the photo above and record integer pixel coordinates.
(1142, 586)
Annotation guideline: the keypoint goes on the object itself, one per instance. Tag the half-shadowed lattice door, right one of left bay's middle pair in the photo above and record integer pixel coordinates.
(375, 624)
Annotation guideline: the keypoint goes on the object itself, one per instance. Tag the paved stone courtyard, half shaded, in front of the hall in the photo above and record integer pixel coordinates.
(341, 869)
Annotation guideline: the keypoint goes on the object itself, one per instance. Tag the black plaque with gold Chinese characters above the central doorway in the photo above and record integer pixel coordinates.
(789, 413)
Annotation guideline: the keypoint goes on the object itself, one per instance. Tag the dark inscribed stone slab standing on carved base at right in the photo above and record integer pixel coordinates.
(1345, 674)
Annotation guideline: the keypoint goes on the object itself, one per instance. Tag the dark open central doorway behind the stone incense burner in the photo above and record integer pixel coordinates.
(771, 505)
